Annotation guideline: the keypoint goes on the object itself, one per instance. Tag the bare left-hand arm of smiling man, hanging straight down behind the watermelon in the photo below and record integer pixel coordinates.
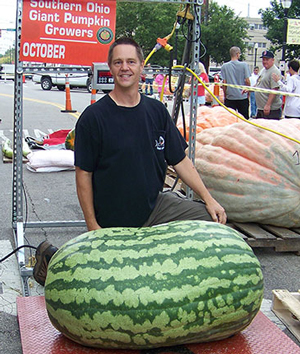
(85, 196)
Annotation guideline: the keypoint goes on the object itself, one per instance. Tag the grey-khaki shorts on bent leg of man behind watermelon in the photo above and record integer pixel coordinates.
(170, 206)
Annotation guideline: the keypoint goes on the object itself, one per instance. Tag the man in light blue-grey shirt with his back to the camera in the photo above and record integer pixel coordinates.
(236, 72)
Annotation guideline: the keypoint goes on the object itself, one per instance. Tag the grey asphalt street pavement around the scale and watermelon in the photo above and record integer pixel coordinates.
(52, 197)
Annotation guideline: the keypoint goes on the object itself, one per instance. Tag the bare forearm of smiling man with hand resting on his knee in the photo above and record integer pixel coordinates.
(189, 175)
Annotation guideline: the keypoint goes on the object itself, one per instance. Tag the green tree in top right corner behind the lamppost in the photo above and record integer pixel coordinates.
(273, 19)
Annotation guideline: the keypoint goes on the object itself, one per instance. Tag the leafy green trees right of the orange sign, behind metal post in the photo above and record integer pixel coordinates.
(146, 22)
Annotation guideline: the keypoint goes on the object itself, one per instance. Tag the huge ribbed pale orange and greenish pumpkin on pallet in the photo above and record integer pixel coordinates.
(253, 173)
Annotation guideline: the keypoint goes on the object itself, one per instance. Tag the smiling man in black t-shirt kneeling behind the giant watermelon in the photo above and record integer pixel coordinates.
(123, 143)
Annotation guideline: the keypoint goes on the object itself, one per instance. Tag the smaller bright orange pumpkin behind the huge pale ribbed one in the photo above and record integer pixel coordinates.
(208, 117)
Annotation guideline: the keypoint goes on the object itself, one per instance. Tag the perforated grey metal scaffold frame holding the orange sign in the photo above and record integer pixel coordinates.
(18, 222)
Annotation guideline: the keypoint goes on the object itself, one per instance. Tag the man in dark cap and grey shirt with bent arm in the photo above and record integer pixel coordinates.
(268, 104)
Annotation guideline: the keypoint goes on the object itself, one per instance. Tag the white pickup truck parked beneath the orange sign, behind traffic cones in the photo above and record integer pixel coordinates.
(50, 77)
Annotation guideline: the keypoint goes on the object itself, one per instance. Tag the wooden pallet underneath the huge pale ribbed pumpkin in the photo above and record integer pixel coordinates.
(256, 235)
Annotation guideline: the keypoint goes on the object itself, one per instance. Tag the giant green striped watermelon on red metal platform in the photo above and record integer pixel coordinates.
(182, 282)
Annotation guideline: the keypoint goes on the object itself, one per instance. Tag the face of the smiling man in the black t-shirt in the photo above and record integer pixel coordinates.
(125, 66)
